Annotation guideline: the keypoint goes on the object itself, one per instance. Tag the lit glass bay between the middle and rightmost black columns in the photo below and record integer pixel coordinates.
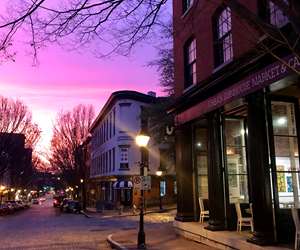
(235, 166)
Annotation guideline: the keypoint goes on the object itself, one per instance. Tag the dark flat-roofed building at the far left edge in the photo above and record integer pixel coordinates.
(16, 161)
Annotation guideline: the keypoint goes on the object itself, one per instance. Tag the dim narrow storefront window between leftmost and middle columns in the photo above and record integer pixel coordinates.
(201, 161)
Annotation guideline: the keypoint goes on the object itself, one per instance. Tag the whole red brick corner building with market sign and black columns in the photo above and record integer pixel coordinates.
(237, 118)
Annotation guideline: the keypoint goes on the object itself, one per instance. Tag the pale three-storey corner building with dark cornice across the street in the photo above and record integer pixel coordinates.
(115, 157)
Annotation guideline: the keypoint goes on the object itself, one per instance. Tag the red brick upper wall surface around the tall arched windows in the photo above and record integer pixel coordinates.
(197, 22)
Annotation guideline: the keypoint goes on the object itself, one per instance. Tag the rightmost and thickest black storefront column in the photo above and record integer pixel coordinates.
(259, 173)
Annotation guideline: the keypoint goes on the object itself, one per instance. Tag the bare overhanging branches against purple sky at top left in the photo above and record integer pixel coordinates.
(118, 24)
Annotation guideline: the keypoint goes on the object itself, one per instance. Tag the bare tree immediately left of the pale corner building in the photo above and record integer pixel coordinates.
(70, 130)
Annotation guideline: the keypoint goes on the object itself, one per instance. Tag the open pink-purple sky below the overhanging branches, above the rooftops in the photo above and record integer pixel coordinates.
(64, 79)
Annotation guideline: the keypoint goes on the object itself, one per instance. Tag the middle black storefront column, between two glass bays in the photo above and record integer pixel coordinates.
(215, 174)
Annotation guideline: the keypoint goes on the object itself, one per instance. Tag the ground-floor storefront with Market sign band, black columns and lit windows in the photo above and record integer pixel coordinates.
(240, 143)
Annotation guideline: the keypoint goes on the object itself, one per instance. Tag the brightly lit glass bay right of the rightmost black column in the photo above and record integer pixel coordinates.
(284, 152)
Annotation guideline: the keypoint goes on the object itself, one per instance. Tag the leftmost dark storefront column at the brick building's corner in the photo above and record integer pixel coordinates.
(184, 172)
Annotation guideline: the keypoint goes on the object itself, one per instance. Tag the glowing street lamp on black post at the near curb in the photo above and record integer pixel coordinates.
(142, 141)
